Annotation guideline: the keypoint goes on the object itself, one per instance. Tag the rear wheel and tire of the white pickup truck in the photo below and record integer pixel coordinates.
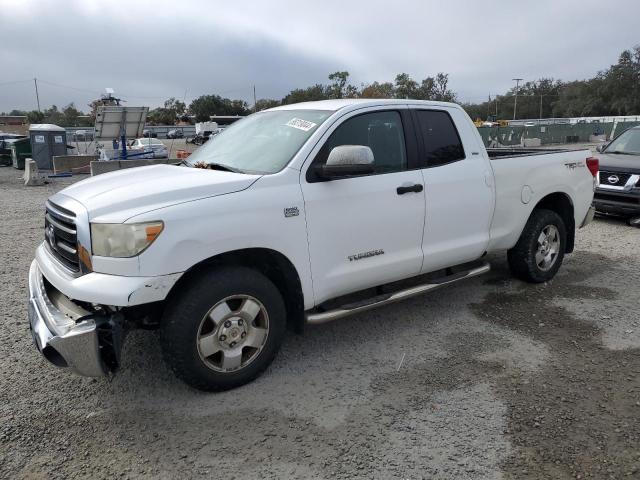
(524, 257)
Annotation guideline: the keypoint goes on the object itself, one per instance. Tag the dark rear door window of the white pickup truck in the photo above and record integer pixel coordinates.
(440, 138)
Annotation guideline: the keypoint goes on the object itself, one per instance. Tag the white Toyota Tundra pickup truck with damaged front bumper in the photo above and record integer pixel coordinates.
(296, 215)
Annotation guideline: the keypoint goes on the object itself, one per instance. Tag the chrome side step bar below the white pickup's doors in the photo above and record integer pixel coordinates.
(316, 318)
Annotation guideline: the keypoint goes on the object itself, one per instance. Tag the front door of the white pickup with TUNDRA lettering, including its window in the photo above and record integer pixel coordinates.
(366, 230)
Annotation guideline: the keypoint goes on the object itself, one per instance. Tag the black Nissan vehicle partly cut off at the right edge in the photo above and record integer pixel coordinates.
(618, 190)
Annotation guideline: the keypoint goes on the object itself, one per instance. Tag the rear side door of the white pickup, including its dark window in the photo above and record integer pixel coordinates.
(459, 194)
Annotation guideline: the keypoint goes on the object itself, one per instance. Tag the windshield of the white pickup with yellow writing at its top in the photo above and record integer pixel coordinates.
(264, 142)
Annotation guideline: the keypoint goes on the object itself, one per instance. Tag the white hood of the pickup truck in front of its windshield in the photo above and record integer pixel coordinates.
(117, 196)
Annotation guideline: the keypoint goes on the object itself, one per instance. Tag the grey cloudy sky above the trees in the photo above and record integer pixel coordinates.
(151, 50)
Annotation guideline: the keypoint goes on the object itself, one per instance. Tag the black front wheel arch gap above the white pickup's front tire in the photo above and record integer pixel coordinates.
(272, 264)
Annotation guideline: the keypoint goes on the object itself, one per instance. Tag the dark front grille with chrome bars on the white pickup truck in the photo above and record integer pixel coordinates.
(61, 236)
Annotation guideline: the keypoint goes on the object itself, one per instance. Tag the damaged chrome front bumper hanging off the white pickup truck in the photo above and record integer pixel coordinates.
(67, 335)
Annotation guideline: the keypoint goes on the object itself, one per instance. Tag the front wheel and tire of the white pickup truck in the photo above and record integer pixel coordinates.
(217, 314)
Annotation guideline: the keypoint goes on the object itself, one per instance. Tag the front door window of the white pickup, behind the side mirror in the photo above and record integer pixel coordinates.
(380, 131)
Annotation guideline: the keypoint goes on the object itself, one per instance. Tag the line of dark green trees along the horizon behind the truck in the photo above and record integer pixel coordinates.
(613, 91)
